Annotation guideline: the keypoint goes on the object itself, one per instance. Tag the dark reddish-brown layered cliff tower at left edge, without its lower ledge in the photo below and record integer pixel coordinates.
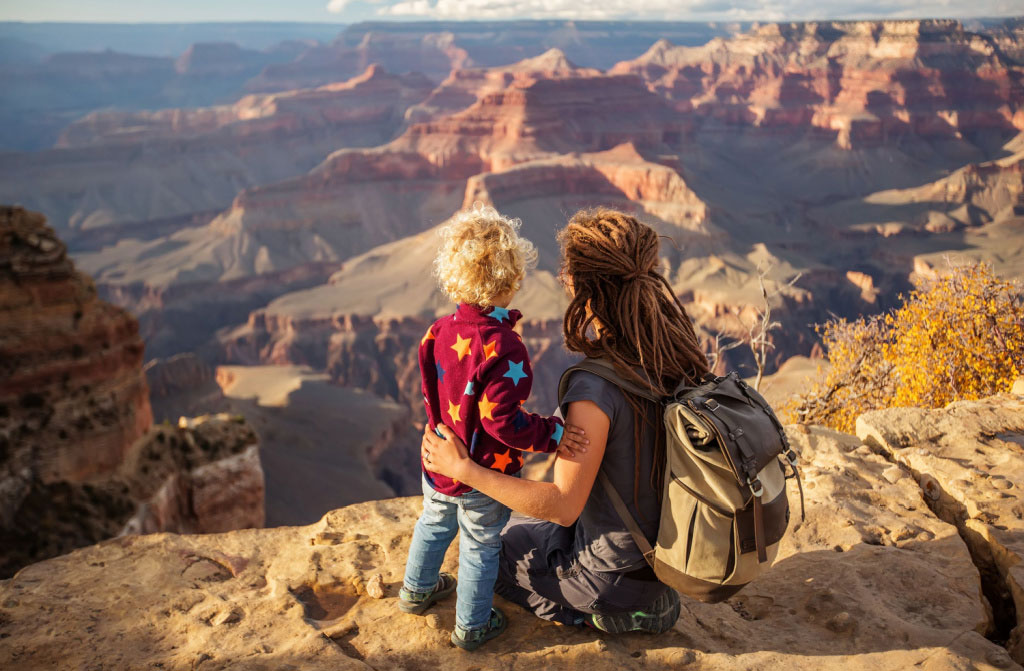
(74, 397)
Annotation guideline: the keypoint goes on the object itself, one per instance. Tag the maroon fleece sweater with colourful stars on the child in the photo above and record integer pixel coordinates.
(477, 376)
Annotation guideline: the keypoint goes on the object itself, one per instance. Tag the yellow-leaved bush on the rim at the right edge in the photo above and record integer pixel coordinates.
(957, 338)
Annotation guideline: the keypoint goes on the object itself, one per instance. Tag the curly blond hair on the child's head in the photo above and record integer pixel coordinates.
(482, 257)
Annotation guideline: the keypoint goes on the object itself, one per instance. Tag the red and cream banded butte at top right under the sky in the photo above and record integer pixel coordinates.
(863, 82)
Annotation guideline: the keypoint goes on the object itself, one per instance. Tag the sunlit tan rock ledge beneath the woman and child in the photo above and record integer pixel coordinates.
(872, 580)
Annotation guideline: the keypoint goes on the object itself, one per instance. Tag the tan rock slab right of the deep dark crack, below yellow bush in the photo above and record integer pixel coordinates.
(969, 460)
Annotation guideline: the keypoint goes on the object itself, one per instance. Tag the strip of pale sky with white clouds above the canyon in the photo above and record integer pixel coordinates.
(354, 11)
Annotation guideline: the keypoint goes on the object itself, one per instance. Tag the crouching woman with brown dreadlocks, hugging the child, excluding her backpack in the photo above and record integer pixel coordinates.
(573, 561)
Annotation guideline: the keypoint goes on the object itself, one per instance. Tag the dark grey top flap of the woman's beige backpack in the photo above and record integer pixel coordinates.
(749, 433)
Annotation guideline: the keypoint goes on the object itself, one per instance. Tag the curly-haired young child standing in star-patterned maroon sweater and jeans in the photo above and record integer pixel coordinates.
(477, 375)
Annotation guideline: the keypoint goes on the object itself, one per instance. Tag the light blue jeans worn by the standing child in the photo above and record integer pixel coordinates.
(481, 520)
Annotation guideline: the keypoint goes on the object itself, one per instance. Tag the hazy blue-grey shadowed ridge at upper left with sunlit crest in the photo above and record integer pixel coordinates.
(155, 170)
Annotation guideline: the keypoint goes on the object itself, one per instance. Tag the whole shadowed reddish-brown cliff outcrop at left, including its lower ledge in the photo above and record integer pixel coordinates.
(79, 457)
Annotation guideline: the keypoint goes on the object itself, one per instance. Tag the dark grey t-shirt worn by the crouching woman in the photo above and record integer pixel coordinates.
(603, 541)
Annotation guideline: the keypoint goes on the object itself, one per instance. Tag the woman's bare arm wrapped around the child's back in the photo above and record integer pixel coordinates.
(561, 501)
